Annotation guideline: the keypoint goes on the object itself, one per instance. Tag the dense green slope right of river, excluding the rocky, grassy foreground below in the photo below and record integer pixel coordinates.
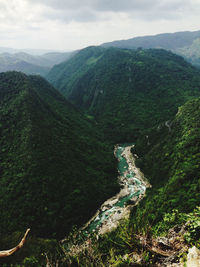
(171, 161)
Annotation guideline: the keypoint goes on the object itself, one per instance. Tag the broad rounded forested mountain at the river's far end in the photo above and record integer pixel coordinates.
(126, 91)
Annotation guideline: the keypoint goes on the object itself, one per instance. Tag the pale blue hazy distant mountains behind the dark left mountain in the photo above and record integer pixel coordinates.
(31, 64)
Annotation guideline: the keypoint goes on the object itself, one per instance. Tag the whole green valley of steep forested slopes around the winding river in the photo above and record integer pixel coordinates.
(58, 166)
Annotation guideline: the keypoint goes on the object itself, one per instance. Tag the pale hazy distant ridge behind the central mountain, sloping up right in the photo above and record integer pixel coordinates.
(182, 43)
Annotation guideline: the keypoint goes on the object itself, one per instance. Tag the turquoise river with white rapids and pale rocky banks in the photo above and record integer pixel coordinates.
(133, 187)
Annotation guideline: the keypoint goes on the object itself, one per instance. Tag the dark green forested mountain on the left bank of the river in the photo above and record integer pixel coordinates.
(56, 168)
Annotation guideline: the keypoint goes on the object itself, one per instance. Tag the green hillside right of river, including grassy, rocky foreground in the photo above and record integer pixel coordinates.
(167, 222)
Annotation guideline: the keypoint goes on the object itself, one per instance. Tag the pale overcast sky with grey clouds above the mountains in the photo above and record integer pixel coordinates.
(73, 24)
